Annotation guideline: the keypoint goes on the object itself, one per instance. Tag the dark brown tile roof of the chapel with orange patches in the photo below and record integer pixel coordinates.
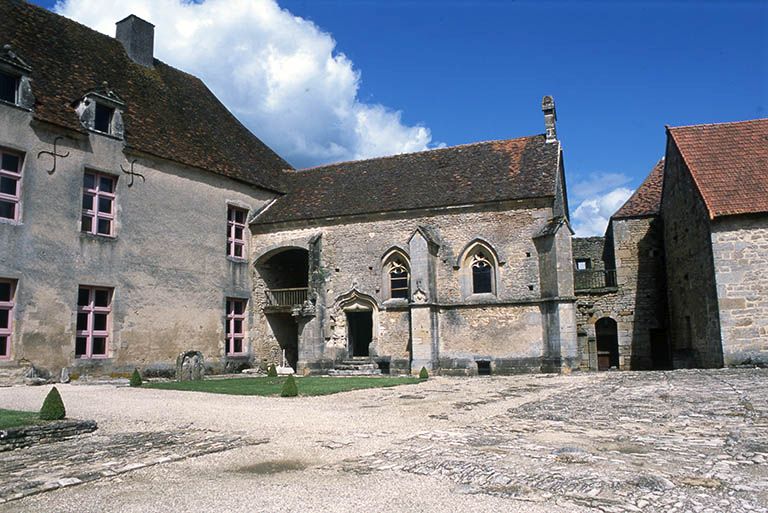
(460, 175)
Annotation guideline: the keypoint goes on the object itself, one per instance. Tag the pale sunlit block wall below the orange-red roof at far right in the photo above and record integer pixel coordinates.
(740, 252)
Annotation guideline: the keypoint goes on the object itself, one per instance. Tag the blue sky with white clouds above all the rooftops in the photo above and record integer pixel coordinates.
(414, 74)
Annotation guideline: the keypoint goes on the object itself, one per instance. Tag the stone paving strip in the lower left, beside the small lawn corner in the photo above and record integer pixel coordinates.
(88, 458)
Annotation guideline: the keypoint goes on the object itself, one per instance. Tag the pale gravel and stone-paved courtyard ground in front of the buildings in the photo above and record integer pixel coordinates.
(673, 441)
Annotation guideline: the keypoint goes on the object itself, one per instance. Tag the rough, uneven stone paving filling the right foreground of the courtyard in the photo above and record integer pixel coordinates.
(656, 441)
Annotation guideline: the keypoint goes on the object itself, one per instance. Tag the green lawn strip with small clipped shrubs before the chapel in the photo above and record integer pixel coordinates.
(310, 385)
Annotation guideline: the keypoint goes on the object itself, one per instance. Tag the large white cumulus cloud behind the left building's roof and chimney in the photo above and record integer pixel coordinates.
(278, 73)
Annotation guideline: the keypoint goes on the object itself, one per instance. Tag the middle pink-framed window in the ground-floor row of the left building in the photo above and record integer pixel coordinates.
(94, 312)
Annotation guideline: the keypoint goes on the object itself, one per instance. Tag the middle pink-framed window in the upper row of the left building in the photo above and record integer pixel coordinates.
(98, 216)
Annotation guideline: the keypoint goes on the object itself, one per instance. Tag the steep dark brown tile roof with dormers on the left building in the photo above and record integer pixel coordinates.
(168, 113)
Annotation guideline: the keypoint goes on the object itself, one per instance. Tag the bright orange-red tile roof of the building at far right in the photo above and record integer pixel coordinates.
(729, 164)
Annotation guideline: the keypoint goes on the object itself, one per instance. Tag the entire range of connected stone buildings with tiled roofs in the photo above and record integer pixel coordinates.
(139, 219)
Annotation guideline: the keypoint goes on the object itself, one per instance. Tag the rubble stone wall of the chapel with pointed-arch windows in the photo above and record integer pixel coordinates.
(352, 261)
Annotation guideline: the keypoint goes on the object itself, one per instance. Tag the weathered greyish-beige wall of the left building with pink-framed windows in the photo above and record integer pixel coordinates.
(166, 264)
